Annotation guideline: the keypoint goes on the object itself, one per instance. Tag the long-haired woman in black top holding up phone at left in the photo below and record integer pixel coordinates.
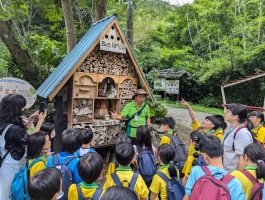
(13, 138)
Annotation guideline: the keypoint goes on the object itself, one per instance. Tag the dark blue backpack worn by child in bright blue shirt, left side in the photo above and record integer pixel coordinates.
(67, 177)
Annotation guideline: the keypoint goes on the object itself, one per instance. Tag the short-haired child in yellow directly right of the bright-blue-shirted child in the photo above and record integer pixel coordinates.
(90, 167)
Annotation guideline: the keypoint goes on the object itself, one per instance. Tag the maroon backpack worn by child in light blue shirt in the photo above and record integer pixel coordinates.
(207, 187)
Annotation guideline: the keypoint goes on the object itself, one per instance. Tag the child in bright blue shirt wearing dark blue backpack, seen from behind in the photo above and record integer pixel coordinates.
(66, 160)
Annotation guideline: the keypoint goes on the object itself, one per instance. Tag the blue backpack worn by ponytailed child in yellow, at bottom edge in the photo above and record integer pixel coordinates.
(175, 189)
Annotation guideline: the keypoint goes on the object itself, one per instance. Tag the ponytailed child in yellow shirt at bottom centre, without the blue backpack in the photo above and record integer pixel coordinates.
(166, 154)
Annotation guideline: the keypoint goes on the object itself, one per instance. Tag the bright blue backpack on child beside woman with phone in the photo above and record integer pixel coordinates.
(19, 186)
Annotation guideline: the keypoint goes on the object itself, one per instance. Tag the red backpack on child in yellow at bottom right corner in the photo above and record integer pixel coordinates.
(256, 193)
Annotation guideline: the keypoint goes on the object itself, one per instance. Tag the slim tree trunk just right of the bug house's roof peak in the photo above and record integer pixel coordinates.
(130, 17)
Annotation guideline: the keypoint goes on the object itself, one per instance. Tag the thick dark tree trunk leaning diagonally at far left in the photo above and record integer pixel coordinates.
(19, 56)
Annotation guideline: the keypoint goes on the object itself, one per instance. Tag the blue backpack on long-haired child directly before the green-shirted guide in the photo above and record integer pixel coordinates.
(147, 165)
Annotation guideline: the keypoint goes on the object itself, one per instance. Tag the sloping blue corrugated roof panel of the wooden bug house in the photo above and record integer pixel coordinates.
(49, 85)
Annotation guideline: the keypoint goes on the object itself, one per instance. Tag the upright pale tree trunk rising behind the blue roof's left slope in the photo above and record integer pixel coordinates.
(69, 24)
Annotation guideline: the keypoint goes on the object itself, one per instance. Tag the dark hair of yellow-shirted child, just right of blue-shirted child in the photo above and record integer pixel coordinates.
(90, 166)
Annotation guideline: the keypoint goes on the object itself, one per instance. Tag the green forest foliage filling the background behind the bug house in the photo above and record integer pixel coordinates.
(216, 41)
